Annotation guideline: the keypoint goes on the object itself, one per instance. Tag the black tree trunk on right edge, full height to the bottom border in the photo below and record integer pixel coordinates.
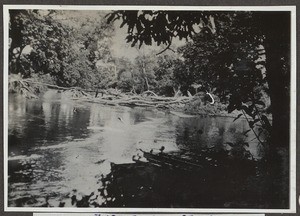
(276, 27)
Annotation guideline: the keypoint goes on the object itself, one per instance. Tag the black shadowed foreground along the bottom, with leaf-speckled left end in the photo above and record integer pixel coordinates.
(227, 183)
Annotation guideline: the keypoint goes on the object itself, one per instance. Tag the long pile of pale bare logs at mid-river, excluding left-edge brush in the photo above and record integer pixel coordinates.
(181, 106)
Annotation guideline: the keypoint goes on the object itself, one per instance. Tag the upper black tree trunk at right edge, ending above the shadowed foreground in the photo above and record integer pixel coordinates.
(276, 26)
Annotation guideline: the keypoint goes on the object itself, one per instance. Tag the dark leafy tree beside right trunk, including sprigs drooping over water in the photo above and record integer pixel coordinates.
(232, 63)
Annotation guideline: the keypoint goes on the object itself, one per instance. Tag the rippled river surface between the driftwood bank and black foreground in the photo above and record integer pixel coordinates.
(56, 145)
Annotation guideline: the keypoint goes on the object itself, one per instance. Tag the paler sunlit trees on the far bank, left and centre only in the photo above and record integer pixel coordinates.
(56, 47)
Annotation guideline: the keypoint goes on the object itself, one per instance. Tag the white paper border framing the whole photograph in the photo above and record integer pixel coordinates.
(293, 106)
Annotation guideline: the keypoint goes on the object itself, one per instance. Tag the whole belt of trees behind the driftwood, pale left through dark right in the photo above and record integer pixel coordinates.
(58, 48)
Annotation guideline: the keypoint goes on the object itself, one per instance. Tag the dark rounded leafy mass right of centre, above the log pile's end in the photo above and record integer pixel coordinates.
(223, 61)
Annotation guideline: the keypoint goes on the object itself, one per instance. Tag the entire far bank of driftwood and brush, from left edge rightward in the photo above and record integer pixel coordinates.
(194, 105)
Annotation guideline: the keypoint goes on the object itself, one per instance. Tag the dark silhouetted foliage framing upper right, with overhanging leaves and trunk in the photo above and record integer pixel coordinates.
(227, 54)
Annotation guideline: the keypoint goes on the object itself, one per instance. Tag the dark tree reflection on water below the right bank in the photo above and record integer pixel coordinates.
(195, 133)
